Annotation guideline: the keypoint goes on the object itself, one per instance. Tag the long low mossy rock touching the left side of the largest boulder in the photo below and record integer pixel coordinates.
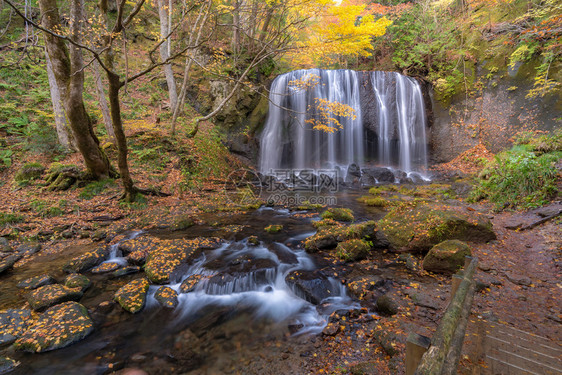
(329, 236)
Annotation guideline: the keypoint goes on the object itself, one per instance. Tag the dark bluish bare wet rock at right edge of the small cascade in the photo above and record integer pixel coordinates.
(312, 286)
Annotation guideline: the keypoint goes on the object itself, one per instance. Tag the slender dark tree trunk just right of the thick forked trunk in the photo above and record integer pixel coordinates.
(114, 103)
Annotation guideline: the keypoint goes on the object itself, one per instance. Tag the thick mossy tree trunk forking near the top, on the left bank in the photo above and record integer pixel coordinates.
(69, 74)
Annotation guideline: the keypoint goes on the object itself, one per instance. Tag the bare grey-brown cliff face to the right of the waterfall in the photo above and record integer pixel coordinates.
(492, 114)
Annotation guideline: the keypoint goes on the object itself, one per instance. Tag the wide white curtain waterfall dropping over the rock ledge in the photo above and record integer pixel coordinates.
(389, 128)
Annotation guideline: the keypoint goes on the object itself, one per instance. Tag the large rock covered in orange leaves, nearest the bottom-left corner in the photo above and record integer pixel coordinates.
(58, 327)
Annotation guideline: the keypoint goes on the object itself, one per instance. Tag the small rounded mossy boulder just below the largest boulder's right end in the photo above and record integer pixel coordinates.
(446, 257)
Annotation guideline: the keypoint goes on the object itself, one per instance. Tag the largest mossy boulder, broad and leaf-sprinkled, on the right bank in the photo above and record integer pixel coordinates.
(413, 227)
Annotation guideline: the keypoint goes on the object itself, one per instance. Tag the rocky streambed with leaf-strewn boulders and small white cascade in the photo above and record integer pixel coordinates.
(221, 294)
